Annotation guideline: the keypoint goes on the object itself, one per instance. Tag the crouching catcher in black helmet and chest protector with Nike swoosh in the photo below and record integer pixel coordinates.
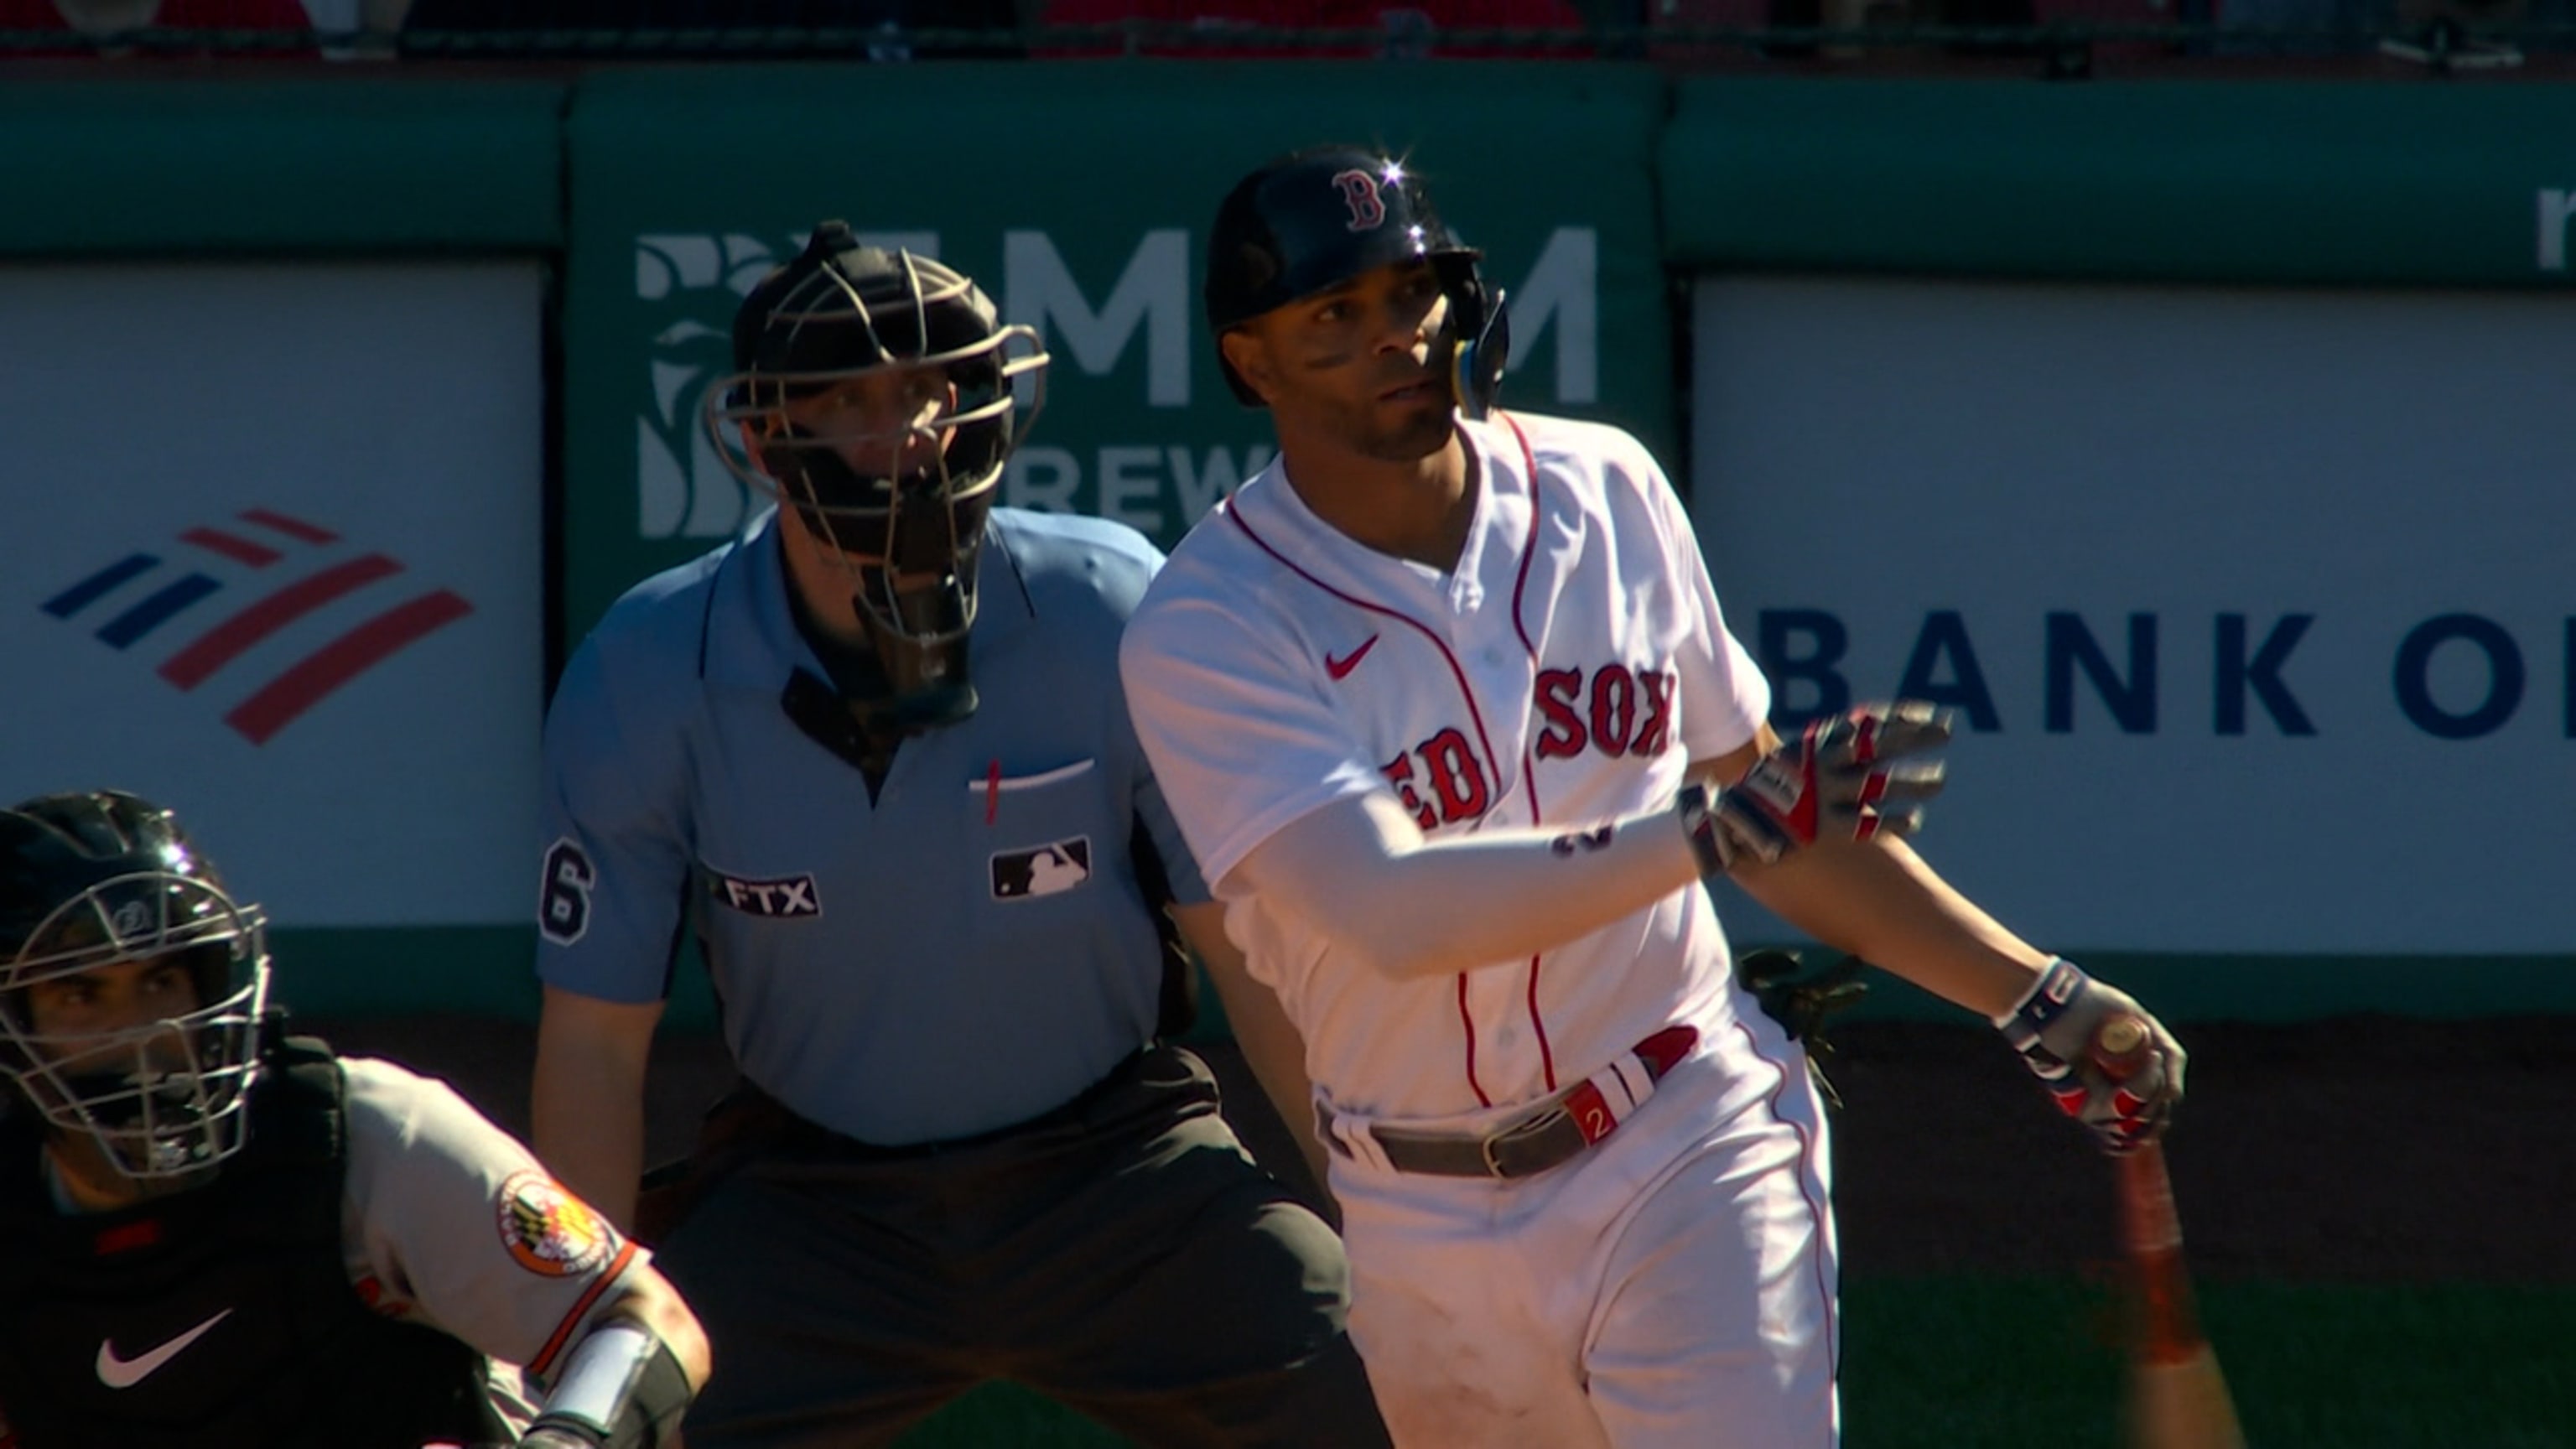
(220, 1236)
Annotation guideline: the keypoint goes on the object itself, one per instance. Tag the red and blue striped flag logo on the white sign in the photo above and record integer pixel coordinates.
(287, 571)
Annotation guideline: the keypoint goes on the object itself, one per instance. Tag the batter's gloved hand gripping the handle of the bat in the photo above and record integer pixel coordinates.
(2124, 1105)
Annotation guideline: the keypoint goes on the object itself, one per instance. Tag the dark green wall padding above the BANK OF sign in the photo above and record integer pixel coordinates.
(2291, 184)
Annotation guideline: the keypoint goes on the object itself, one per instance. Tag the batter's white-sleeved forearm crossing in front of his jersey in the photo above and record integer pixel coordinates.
(1405, 906)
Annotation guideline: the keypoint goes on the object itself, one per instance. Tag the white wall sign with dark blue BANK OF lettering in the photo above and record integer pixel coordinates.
(2258, 610)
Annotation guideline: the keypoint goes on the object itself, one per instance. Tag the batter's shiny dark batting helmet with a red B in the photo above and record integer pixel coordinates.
(1323, 215)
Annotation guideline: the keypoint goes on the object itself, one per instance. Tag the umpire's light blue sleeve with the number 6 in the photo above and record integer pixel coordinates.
(614, 834)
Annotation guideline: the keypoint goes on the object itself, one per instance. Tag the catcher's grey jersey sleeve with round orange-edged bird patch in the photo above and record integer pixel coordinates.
(462, 1229)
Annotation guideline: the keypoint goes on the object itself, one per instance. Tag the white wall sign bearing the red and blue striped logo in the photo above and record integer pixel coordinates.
(272, 556)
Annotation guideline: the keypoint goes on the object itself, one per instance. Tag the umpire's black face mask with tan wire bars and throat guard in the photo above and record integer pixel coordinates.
(880, 396)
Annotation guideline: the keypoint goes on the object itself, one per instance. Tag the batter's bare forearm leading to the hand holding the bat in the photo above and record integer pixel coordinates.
(1887, 906)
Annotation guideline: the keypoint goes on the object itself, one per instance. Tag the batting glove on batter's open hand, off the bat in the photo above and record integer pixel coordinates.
(1833, 783)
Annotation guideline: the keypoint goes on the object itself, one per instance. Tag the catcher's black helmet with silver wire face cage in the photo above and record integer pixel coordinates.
(102, 878)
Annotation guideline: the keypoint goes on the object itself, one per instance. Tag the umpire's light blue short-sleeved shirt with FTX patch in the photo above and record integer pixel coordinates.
(970, 950)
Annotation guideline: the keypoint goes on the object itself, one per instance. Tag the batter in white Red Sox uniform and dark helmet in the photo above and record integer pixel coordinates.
(1457, 728)
